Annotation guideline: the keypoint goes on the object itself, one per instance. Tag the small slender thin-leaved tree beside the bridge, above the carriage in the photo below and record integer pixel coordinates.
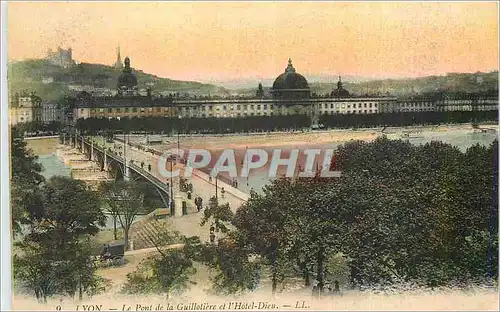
(125, 199)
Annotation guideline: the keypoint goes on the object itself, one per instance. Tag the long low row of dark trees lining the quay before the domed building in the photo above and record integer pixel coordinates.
(213, 125)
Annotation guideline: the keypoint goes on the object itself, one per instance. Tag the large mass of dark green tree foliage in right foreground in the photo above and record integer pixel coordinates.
(398, 213)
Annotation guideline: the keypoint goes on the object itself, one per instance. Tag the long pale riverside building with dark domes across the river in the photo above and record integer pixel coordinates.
(290, 94)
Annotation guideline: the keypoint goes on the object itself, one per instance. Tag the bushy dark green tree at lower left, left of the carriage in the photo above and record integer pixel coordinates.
(66, 213)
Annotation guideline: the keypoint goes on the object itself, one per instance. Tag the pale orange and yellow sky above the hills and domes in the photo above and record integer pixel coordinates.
(230, 41)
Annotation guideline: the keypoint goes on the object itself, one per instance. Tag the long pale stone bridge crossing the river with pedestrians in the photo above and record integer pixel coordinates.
(130, 163)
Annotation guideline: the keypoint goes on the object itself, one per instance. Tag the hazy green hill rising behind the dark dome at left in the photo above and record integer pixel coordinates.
(52, 82)
